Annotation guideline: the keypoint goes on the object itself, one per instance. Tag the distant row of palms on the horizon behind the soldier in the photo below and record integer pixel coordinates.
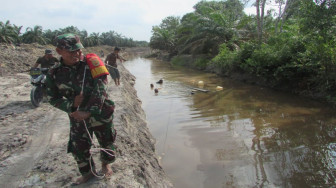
(11, 34)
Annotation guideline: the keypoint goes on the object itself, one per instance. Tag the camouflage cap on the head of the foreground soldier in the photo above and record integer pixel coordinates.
(69, 41)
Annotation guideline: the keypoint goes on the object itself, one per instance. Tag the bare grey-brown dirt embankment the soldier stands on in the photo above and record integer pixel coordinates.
(33, 141)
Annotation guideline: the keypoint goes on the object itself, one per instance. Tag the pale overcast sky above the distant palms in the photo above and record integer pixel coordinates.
(131, 18)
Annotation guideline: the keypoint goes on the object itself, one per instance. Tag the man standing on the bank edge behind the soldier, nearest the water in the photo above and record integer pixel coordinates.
(111, 62)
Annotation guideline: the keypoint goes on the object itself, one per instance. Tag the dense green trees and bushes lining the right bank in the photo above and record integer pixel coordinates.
(292, 46)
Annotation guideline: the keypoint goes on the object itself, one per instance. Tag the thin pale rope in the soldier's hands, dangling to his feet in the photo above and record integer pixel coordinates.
(95, 148)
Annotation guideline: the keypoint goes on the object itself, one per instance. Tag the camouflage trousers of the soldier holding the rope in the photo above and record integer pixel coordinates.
(79, 143)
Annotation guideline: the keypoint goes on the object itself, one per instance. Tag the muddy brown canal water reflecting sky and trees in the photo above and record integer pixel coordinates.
(242, 136)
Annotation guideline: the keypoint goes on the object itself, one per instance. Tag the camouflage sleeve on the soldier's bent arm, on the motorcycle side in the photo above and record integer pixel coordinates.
(55, 99)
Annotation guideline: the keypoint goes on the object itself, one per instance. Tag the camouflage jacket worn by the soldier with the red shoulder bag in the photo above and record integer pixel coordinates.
(64, 83)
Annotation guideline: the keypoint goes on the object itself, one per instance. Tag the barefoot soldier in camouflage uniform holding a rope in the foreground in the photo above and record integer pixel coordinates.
(64, 84)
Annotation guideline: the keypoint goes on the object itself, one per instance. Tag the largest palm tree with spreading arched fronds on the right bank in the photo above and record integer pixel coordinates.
(210, 25)
